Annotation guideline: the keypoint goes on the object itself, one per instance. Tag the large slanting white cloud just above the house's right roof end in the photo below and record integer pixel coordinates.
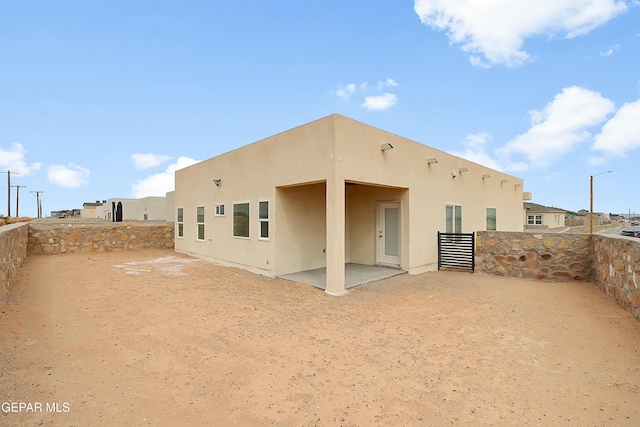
(561, 126)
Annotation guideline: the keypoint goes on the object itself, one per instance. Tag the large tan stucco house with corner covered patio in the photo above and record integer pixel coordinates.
(336, 191)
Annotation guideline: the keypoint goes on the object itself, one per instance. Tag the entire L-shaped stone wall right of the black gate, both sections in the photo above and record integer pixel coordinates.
(611, 262)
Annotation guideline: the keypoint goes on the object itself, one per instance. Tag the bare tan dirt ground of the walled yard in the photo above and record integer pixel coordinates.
(157, 338)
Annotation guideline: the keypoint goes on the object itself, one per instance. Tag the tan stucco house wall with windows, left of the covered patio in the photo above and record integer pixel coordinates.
(247, 175)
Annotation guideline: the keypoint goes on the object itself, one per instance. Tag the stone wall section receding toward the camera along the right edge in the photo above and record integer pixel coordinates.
(617, 270)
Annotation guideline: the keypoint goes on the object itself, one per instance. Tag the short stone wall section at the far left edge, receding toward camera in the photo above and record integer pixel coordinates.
(13, 244)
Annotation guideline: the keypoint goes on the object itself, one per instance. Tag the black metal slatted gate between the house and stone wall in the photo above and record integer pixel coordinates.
(456, 251)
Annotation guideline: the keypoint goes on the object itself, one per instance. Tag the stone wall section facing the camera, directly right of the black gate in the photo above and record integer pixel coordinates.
(542, 256)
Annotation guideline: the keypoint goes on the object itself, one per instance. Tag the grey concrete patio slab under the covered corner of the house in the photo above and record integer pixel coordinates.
(355, 275)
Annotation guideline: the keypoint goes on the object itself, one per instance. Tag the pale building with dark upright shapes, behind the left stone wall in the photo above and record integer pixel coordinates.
(146, 208)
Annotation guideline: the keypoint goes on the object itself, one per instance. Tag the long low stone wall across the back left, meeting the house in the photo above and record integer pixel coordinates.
(61, 236)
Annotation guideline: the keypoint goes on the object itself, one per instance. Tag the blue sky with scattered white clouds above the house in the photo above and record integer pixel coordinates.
(106, 99)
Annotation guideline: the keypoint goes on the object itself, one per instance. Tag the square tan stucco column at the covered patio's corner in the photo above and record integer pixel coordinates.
(335, 206)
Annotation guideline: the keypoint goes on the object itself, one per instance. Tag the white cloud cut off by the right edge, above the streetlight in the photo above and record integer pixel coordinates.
(622, 133)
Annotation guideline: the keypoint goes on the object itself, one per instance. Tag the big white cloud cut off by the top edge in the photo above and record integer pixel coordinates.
(494, 31)
